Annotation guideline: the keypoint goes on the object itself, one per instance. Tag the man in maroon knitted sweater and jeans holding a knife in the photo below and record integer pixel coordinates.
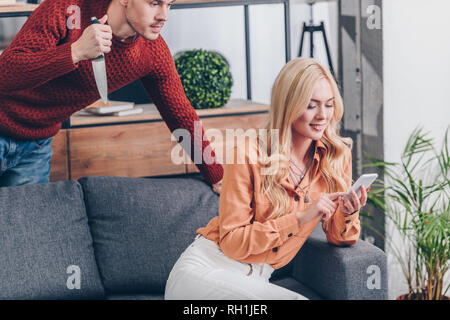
(46, 75)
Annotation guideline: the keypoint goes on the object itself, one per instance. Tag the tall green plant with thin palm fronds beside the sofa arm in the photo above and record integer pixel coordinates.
(415, 200)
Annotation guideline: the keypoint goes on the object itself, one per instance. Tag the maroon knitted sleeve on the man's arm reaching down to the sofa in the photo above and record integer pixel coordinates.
(166, 90)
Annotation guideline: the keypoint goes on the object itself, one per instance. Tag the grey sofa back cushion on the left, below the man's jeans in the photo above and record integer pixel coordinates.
(46, 246)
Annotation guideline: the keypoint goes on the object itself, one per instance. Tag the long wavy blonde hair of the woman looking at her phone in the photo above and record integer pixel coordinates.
(291, 95)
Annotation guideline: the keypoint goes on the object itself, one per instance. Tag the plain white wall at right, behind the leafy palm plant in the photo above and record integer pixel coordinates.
(416, 81)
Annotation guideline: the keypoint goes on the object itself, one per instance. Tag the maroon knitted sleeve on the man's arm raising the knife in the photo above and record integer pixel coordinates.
(35, 56)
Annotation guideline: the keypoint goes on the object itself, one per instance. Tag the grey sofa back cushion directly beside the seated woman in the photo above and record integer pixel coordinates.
(141, 226)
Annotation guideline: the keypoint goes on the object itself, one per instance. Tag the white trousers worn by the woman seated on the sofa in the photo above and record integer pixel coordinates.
(204, 272)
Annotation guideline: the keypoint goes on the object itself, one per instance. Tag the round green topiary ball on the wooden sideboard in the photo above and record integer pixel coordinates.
(206, 78)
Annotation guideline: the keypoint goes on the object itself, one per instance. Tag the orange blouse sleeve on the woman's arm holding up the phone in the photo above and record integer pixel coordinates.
(342, 229)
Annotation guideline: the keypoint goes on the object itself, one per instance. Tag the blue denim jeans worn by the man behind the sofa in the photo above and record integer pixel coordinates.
(24, 162)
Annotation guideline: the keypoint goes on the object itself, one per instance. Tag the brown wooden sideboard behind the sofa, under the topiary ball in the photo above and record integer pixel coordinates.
(140, 145)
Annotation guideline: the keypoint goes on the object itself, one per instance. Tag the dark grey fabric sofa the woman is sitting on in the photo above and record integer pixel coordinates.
(118, 238)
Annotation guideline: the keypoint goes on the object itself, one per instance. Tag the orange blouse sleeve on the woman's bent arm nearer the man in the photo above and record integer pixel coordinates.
(241, 236)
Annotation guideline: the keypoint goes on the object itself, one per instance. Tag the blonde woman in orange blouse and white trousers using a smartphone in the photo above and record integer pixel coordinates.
(264, 219)
